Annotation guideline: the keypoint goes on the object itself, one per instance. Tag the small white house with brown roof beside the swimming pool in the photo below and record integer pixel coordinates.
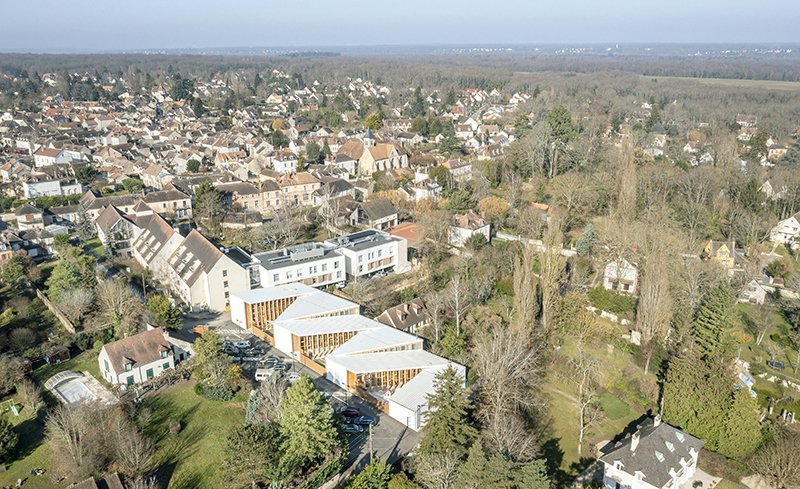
(137, 358)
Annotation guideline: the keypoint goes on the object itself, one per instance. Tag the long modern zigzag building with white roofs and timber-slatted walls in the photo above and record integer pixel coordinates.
(384, 365)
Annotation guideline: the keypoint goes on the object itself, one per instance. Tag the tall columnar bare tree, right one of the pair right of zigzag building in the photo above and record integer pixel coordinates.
(551, 271)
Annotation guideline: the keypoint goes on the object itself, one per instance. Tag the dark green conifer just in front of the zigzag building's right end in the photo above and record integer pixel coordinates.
(448, 426)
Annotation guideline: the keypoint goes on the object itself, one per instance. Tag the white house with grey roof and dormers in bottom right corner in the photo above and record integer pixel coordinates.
(657, 455)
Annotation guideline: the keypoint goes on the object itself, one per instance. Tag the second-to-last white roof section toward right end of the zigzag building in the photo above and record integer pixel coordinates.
(388, 361)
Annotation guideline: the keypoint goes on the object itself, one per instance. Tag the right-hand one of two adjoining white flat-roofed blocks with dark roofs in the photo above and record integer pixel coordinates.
(372, 251)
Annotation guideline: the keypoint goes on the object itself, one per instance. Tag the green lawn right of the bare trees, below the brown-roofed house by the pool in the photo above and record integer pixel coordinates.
(193, 457)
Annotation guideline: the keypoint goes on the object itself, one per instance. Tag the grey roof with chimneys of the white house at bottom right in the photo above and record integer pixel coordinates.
(654, 450)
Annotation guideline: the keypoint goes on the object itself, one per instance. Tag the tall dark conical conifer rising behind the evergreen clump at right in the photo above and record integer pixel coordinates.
(713, 324)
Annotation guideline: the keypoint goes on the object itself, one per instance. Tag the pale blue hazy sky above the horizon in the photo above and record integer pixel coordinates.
(137, 24)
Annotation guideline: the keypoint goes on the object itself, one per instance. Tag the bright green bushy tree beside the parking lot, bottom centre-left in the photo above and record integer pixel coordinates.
(307, 425)
